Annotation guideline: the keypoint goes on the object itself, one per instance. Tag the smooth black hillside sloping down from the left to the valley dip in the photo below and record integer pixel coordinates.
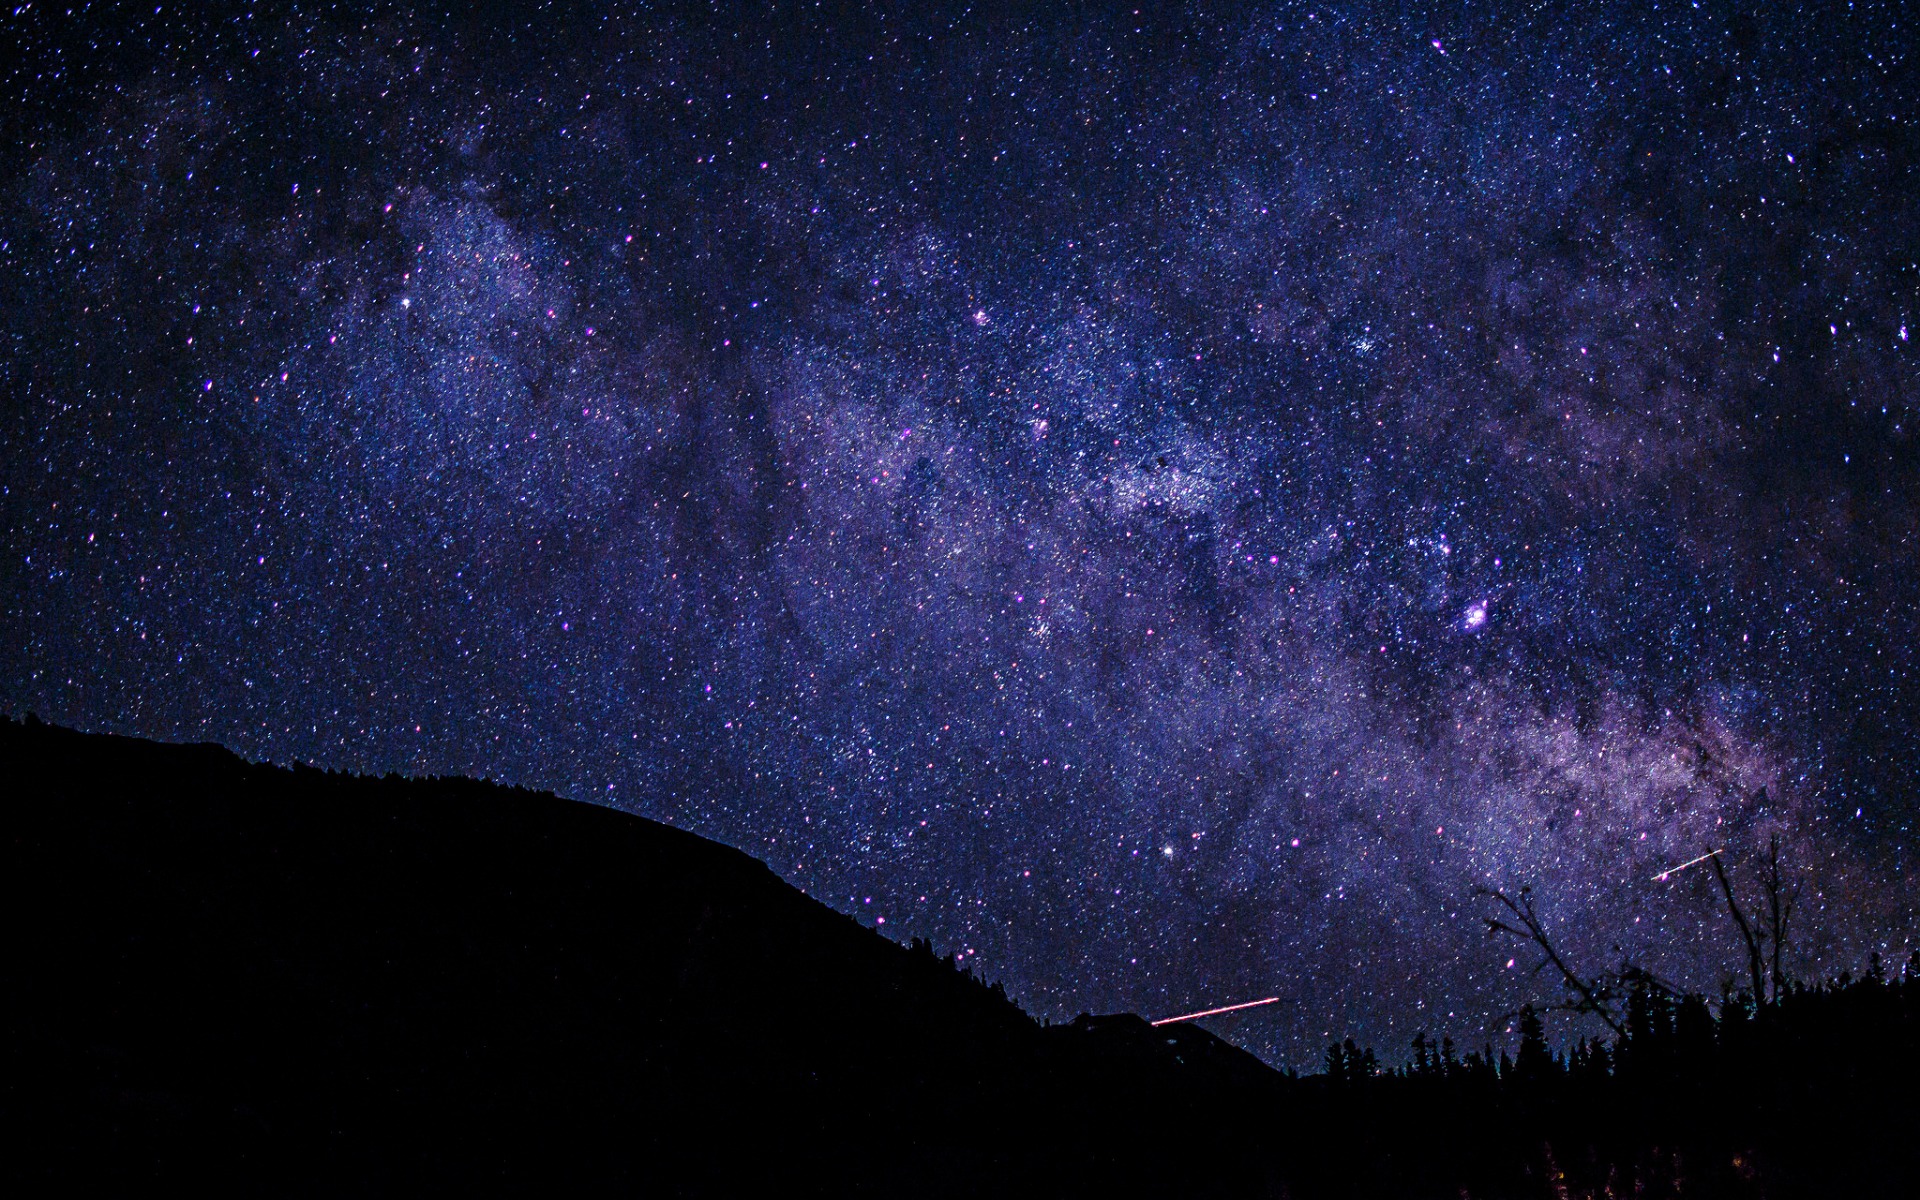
(299, 982)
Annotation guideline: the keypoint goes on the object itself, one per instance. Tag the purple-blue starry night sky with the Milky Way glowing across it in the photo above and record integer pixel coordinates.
(1163, 504)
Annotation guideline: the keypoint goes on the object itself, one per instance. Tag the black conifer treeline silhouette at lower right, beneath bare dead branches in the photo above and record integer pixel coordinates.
(1812, 1093)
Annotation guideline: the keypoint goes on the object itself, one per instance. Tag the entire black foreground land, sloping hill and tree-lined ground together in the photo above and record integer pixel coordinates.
(235, 976)
